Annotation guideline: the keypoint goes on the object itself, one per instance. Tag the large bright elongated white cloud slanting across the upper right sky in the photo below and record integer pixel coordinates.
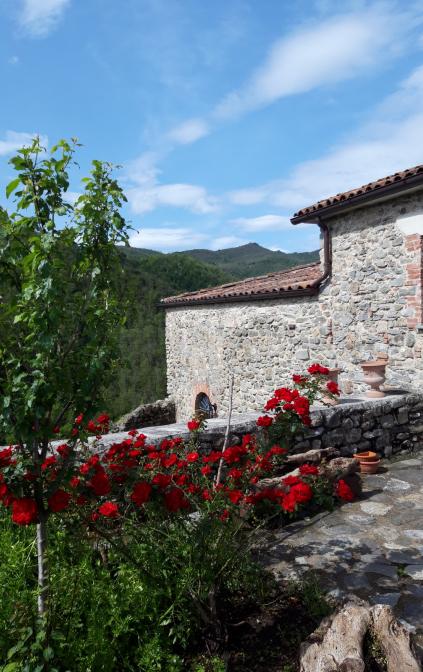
(335, 50)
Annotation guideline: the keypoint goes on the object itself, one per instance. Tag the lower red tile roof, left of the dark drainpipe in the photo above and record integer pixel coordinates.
(297, 281)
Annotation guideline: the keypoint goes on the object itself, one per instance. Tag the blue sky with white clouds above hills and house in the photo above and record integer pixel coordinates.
(226, 116)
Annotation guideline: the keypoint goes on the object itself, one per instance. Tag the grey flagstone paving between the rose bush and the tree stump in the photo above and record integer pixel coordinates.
(372, 548)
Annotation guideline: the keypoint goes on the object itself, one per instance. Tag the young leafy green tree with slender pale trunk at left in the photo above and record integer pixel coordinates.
(60, 313)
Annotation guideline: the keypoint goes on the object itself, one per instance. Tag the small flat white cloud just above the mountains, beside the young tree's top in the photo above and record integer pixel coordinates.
(167, 239)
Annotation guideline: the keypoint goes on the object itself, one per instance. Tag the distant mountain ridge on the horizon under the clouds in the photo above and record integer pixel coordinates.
(241, 262)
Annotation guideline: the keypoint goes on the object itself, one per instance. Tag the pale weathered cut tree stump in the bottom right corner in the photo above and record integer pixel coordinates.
(337, 644)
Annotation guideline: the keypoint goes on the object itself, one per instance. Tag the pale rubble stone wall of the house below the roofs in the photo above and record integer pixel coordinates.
(370, 304)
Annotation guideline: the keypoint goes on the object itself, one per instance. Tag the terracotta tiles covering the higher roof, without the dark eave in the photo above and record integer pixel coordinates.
(361, 193)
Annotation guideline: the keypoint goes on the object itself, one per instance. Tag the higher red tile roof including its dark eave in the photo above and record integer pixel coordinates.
(396, 182)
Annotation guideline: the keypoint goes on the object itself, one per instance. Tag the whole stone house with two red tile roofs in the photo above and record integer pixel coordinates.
(364, 297)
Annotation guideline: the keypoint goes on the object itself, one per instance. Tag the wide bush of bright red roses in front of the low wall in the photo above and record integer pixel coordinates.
(175, 476)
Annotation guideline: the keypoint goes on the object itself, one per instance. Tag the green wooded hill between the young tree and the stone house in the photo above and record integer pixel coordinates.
(150, 276)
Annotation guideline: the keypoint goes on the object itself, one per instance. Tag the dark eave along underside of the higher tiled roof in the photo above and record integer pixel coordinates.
(380, 193)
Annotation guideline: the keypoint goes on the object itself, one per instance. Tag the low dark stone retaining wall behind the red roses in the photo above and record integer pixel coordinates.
(388, 426)
